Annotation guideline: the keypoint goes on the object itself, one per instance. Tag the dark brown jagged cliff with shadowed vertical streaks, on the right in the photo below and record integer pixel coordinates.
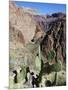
(55, 40)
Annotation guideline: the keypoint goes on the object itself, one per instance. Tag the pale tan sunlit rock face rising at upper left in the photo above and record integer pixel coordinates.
(21, 21)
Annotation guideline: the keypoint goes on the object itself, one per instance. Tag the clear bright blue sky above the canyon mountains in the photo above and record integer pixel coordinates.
(43, 8)
